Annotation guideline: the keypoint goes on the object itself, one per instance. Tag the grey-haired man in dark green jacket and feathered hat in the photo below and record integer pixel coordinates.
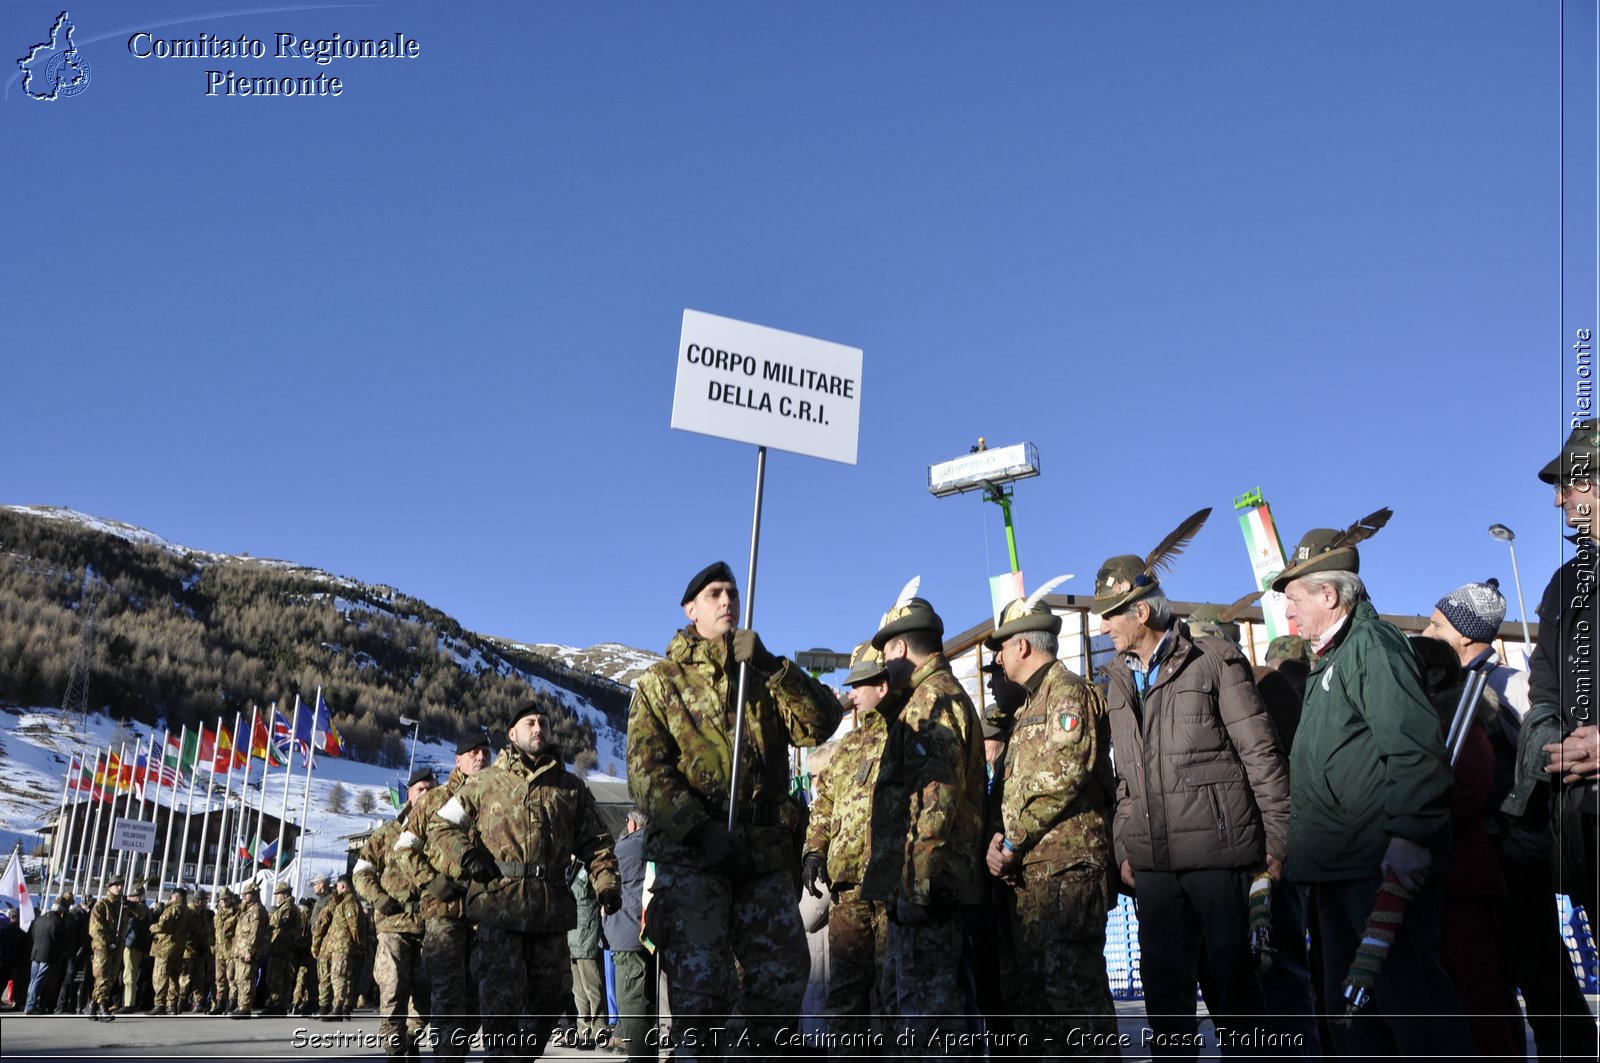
(1370, 798)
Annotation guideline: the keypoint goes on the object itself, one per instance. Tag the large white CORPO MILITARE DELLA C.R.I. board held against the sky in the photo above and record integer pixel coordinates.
(766, 387)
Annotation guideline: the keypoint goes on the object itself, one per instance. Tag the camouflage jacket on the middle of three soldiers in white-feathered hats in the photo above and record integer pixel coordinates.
(929, 803)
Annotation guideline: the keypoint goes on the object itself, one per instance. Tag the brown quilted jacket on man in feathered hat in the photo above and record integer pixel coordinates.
(1201, 776)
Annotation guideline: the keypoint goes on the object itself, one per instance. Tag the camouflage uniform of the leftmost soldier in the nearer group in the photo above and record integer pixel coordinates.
(402, 977)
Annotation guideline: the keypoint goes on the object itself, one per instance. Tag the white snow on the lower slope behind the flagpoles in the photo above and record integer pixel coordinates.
(39, 744)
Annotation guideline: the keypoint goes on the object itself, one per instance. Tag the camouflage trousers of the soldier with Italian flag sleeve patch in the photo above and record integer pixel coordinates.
(1054, 963)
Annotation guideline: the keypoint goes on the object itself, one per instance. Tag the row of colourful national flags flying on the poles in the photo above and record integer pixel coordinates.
(214, 752)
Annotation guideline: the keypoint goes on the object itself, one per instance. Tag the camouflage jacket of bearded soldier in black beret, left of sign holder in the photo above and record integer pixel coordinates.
(532, 817)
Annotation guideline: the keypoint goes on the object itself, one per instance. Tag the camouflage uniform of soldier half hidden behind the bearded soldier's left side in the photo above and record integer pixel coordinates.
(447, 934)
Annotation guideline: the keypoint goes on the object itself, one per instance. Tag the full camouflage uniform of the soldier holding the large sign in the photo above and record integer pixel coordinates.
(711, 925)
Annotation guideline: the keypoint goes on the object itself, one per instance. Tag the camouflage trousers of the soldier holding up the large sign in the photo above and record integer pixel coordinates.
(710, 929)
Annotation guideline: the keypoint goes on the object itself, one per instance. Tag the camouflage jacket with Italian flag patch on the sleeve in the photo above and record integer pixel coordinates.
(1058, 785)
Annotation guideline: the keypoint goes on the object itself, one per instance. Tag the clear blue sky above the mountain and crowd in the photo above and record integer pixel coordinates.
(425, 334)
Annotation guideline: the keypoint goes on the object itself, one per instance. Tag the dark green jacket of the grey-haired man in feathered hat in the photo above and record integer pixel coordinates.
(1369, 756)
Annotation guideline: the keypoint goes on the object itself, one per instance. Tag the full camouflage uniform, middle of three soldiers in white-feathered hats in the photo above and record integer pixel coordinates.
(927, 846)
